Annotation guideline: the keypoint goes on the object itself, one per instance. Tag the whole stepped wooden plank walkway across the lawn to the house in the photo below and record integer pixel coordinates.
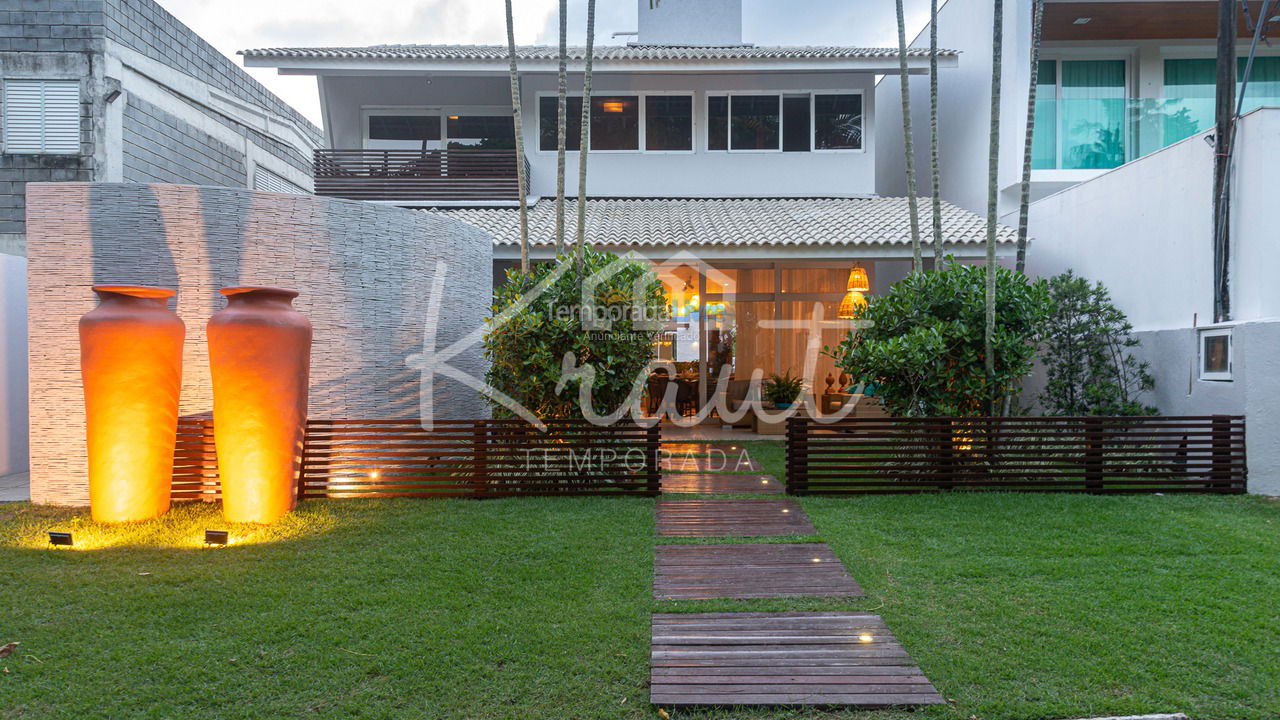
(761, 658)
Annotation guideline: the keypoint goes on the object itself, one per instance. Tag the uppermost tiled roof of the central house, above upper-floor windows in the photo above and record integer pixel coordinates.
(621, 53)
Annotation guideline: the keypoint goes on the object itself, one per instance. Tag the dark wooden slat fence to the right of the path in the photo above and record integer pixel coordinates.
(874, 455)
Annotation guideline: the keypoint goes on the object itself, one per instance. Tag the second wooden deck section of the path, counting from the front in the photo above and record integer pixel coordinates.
(740, 572)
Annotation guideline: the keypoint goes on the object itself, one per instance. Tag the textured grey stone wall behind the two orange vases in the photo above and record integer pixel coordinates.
(365, 274)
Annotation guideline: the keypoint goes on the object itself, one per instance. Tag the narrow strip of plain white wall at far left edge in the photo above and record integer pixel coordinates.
(13, 364)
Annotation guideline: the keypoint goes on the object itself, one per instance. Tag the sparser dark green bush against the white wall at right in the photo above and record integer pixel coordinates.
(1086, 354)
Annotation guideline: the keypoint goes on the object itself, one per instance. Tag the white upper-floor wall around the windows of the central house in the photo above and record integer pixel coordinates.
(636, 175)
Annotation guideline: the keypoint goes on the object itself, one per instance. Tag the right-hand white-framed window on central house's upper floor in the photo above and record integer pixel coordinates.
(792, 124)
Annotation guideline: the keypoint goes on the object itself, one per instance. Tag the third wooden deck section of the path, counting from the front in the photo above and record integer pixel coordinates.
(732, 518)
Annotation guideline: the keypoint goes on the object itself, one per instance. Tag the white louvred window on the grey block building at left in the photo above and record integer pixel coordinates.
(42, 117)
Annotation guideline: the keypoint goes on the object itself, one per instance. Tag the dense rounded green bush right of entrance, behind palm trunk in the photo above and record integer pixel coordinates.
(925, 343)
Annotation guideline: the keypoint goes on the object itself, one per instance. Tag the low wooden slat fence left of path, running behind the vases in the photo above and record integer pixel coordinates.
(350, 459)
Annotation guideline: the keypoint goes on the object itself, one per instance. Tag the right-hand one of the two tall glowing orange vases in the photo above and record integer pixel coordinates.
(260, 361)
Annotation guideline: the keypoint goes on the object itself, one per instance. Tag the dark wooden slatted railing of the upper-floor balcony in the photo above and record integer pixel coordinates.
(419, 176)
